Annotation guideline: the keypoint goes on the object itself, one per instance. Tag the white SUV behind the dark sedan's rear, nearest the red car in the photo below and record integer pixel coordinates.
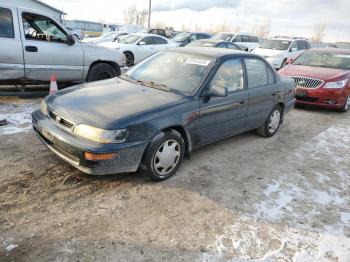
(277, 50)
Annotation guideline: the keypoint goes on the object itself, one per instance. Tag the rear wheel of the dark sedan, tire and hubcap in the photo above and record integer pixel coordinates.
(272, 123)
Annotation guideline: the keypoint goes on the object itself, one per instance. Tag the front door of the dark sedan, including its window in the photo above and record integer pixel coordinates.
(224, 116)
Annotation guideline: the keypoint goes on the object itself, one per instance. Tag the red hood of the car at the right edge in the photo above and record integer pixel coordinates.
(325, 74)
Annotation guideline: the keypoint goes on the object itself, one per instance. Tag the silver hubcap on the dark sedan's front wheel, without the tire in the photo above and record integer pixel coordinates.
(167, 157)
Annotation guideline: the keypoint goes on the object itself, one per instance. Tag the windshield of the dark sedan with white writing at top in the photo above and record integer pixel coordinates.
(174, 71)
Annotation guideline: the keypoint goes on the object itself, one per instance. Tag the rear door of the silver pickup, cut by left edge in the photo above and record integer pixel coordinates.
(11, 53)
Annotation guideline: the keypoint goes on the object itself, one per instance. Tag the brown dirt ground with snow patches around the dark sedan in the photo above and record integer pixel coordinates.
(247, 198)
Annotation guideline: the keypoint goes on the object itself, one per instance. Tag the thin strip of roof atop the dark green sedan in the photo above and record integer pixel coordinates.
(211, 52)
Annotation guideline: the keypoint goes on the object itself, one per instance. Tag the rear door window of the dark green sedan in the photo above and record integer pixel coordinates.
(256, 72)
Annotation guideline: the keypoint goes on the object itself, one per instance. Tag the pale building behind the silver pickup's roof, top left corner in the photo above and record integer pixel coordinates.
(38, 6)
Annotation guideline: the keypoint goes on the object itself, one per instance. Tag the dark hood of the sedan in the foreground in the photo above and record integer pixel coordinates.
(103, 104)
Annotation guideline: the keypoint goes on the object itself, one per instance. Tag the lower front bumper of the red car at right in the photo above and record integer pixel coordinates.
(321, 97)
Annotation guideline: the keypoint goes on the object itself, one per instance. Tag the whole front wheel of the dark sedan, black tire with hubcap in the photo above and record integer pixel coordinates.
(158, 169)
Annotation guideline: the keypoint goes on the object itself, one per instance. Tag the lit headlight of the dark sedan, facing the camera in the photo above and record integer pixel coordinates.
(101, 135)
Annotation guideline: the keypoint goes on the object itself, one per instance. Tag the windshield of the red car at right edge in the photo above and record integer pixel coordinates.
(324, 59)
